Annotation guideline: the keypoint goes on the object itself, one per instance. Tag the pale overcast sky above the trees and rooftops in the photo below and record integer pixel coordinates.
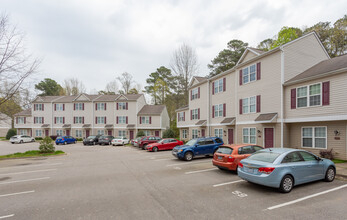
(96, 41)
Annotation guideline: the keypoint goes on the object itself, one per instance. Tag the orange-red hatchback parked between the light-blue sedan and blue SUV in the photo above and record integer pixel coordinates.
(227, 157)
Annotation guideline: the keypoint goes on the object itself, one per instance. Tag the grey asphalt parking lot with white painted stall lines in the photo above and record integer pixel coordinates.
(105, 182)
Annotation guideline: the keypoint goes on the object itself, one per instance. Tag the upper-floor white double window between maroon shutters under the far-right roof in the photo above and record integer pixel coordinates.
(309, 95)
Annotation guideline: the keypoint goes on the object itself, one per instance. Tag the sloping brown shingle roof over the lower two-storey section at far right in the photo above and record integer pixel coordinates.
(322, 69)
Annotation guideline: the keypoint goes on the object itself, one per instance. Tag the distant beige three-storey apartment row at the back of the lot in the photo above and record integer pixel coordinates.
(84, 115)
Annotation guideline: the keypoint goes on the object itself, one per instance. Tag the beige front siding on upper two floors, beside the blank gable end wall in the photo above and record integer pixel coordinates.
(268, 87)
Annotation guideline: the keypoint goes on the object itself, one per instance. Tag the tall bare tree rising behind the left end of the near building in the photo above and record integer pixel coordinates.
(185, 65)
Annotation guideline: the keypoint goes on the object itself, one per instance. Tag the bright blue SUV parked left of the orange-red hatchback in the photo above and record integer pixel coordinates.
(197, 147)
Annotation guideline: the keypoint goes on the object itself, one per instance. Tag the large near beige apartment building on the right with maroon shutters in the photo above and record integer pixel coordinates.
(290, 96)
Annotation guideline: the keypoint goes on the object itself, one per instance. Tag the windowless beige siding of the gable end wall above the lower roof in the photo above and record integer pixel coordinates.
(301, 55)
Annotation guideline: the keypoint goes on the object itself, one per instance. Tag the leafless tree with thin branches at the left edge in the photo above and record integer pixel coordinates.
(15, 64)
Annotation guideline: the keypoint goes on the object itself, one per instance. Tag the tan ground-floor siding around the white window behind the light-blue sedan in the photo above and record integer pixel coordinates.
(337, 145)
